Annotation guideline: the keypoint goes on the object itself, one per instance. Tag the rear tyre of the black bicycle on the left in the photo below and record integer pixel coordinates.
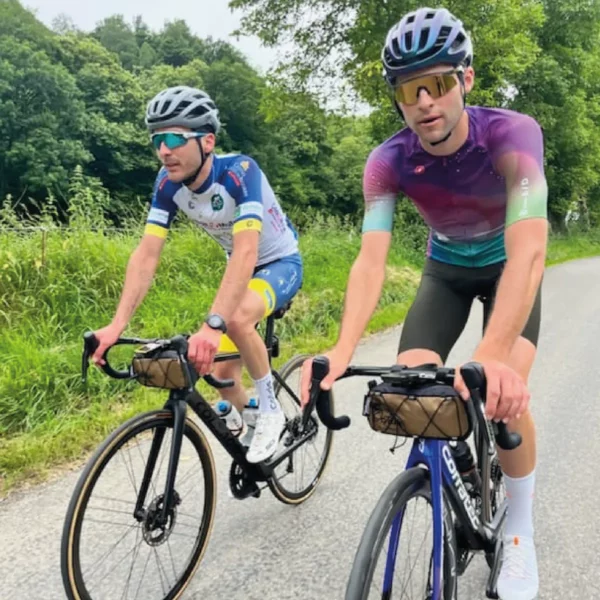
(275, 483)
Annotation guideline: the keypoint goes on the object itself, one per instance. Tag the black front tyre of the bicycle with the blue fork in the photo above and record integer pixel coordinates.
(406, 486)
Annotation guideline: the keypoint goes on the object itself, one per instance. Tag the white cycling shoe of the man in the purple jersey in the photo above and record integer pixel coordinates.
(518, 578)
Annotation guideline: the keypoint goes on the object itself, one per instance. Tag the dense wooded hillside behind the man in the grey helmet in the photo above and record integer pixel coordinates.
(70, 98)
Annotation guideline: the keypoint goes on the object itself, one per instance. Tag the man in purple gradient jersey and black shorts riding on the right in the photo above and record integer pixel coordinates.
(476, 175)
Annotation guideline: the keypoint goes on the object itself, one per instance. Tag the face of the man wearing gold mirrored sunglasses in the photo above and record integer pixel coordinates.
(432, 100)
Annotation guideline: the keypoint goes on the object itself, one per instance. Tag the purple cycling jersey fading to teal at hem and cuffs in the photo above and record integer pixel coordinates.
(467, 198)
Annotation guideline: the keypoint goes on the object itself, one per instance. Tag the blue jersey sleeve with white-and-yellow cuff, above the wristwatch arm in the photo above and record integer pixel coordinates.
(243, 182)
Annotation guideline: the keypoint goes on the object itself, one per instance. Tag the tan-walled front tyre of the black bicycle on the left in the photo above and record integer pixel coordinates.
(74, 585)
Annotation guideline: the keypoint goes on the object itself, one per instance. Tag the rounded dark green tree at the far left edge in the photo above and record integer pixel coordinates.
(42, 117)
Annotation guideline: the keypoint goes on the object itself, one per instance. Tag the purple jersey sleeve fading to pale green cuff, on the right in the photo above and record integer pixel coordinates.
(517, 151)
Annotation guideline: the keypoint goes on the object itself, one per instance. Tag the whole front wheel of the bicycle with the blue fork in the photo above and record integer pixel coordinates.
(396, 521)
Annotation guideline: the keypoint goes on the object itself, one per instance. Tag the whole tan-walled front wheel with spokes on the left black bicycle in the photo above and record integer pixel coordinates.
(110, 550)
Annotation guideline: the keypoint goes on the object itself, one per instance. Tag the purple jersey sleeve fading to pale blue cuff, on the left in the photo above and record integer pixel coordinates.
(380, 190)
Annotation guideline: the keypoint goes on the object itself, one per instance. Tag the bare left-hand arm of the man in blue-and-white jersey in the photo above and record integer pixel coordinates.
(140, 272)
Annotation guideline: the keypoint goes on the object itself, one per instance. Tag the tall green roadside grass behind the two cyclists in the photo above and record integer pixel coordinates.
(56, 283)
